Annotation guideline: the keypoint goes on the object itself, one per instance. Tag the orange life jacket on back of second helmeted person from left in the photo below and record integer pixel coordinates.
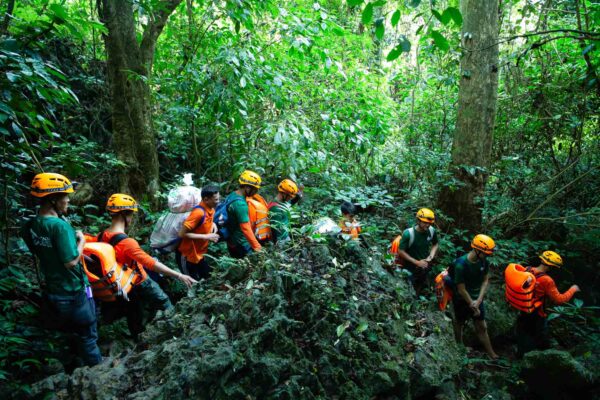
(108, 278)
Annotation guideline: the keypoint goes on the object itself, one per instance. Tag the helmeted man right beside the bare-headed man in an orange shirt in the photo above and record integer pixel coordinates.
(242, 240)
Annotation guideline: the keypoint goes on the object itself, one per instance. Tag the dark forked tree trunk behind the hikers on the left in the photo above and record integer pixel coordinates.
(129, 68)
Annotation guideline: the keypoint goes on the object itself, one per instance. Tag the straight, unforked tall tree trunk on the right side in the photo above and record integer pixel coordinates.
(477, 97)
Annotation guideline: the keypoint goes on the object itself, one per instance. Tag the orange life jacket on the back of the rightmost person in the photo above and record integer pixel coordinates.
(520, 288)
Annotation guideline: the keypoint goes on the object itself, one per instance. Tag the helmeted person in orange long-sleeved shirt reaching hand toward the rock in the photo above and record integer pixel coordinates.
(145, 292)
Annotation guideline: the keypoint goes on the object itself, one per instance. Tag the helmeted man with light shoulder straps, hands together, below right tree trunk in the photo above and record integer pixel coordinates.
(418, 247)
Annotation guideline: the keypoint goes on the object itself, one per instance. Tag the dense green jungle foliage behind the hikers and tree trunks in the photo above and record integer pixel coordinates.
(356, 99)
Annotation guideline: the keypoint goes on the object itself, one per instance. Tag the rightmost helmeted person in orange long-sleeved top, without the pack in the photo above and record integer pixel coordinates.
(532, 327)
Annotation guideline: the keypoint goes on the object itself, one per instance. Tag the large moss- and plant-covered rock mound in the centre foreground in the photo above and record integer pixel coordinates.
(328, 322)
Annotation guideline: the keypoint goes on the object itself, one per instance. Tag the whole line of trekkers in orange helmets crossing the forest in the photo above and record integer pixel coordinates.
(78, 270)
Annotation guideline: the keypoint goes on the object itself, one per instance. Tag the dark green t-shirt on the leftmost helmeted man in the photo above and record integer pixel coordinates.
(54, 242)
